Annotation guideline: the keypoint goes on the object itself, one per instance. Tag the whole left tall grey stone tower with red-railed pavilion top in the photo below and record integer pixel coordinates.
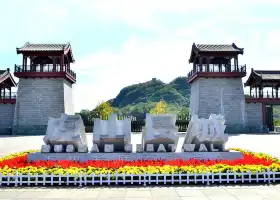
(44, 88)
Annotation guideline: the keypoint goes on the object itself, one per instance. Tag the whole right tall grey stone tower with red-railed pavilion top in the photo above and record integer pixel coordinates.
(216, 84)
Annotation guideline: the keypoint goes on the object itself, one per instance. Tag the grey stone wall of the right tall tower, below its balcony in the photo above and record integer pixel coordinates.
(220, 96)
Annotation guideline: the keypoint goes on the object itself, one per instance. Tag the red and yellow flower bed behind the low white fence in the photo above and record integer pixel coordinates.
(250, 162)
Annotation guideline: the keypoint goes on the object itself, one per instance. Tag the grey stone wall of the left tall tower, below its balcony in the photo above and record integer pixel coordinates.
(37, 100)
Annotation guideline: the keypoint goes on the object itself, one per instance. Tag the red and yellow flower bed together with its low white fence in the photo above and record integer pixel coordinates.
(252, 167)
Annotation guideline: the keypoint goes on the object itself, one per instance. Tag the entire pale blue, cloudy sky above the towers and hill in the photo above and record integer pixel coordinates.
(119, 43)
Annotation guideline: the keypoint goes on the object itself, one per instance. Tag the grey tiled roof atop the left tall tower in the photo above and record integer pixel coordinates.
(43, 47)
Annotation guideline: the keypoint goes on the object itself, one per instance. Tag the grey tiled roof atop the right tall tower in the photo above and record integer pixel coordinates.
(218, 48)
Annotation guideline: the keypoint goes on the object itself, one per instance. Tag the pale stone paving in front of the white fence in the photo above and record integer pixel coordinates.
(239, 192)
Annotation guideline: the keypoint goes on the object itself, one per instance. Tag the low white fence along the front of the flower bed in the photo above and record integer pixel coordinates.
(84, 179)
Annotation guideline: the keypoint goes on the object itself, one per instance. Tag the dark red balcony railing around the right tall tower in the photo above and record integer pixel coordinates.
(217, 68)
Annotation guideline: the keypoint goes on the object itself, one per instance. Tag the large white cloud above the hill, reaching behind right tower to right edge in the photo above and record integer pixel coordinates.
(104, 73)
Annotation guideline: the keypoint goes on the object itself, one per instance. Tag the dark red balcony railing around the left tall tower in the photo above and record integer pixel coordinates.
(45, 68)
